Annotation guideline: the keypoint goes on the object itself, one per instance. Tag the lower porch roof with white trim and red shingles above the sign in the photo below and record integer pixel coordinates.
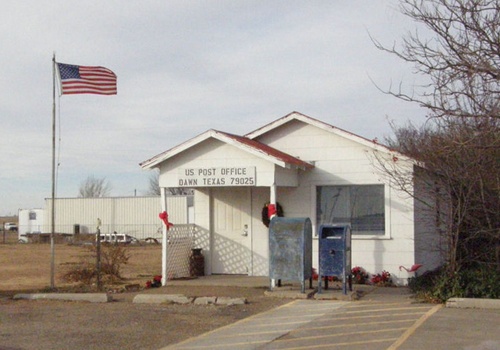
(246, 144)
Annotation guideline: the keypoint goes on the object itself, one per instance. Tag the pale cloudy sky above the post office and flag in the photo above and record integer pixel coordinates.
(184, 67)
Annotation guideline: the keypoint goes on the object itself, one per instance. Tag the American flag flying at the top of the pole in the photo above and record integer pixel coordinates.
(86, 80)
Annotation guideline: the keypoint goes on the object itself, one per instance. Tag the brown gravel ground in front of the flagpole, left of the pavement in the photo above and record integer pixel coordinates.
(121, 324)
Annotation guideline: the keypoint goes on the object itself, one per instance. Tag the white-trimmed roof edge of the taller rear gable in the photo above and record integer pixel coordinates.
(315, 122)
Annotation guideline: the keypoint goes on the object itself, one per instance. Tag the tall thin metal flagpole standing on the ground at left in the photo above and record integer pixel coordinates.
(52, 220)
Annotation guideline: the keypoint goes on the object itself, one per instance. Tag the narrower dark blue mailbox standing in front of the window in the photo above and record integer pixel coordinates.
(335, 254)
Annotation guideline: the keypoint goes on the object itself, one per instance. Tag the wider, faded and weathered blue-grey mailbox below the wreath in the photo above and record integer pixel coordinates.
(290, 249)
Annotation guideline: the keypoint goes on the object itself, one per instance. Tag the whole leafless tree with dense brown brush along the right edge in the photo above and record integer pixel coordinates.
(460, 145)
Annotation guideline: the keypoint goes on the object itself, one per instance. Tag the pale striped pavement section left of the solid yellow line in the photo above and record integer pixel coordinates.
(319, 324)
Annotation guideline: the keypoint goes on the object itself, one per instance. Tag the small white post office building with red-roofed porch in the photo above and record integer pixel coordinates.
(311, 169)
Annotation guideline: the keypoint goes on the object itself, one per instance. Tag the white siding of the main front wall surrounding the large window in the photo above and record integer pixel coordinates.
(341, 161)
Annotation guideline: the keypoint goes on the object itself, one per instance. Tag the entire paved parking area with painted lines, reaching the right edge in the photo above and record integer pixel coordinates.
(385, 318)
